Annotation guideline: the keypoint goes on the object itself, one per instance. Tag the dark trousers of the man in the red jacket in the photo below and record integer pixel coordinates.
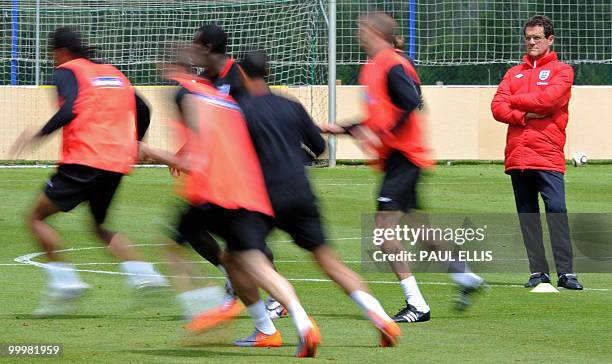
(550, 185)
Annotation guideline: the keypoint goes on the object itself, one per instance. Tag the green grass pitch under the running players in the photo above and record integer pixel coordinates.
(507, 325)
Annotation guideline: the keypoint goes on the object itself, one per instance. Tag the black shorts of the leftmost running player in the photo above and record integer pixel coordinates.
(74, 183)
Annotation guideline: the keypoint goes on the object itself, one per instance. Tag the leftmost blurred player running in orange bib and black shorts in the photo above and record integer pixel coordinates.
(102, 120)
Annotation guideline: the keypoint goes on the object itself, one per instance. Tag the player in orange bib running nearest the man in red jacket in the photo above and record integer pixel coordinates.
(394, 133)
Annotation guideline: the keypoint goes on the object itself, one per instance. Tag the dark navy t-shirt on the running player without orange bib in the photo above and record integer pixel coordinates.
(279, 129)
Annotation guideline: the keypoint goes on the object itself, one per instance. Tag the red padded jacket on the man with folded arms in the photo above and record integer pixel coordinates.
(541, 87)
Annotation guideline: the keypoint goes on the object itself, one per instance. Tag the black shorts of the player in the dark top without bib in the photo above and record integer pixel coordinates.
(296, 212)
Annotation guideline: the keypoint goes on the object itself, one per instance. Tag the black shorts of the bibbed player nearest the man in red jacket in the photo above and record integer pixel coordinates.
(398, 189)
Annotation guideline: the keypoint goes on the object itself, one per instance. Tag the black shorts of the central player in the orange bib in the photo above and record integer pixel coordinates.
(241, 229)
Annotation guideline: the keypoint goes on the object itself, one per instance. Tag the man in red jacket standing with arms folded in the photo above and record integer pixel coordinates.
(533, 100)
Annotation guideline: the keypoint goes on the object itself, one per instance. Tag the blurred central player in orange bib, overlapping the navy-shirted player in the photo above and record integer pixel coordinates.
(227, 194)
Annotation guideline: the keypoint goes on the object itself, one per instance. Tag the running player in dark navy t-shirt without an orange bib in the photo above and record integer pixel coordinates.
(279, 128)
